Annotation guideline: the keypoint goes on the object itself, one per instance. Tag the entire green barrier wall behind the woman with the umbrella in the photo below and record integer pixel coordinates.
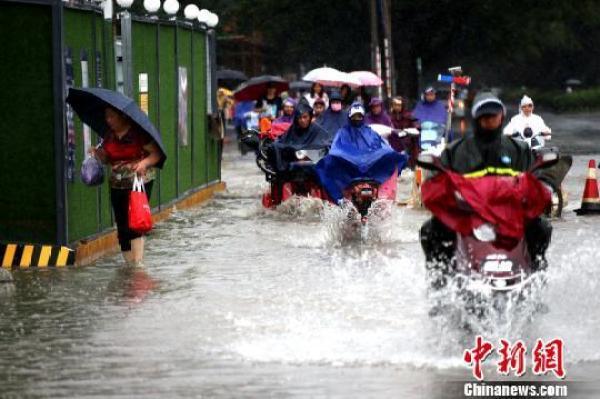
(166, 54)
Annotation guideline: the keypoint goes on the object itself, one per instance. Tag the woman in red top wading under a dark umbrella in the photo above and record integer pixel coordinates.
(132, 147)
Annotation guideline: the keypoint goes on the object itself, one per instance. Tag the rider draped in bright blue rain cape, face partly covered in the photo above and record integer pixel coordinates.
(357, 152)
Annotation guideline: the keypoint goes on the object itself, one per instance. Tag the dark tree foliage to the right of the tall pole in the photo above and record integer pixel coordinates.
(510, 42)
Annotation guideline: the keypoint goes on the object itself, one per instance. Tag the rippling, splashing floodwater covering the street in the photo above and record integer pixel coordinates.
(236, 301)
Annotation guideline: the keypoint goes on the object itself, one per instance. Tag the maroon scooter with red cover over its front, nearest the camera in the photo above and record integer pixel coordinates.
(489, 215)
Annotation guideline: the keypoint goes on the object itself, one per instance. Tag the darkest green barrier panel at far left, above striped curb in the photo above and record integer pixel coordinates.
(27, 182)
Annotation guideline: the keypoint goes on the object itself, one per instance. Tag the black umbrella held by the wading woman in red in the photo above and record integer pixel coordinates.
(90, 105)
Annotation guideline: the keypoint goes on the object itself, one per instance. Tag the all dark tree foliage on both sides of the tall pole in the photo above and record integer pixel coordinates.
(510, 42)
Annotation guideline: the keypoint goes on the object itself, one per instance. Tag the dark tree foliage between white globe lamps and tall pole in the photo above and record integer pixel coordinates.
(309, 33)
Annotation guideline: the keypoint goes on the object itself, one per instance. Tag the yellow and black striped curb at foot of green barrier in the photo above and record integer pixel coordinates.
(24, 256)
